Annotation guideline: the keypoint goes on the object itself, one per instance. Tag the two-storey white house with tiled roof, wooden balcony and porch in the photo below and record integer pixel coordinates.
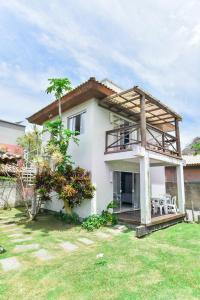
(126, 140)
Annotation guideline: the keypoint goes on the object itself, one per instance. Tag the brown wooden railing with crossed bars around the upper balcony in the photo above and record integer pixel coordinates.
(123, 139)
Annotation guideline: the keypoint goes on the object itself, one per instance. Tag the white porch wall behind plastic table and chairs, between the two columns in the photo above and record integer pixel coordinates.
(157, 179)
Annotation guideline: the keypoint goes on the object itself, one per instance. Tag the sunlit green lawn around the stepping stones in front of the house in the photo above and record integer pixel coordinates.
(164, 265)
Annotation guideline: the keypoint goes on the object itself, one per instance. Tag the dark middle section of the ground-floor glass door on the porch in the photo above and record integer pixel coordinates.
(126, 188)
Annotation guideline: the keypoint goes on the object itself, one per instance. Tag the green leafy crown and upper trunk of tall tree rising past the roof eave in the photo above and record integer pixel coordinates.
(58, 87)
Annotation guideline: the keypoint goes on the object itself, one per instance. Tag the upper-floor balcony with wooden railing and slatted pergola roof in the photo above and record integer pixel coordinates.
(153, 125)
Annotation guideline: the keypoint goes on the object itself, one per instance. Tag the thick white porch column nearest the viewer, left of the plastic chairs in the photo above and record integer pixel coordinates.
(145, 202)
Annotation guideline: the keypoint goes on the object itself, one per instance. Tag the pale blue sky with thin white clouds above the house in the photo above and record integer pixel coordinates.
(154, 44)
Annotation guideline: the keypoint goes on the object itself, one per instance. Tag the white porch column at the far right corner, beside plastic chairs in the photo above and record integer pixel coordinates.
(180, 188)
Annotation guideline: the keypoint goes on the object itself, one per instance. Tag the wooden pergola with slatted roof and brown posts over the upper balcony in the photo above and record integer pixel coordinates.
(139, 106)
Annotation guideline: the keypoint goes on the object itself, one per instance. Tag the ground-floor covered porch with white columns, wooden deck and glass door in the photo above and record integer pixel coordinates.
(138, 178)
